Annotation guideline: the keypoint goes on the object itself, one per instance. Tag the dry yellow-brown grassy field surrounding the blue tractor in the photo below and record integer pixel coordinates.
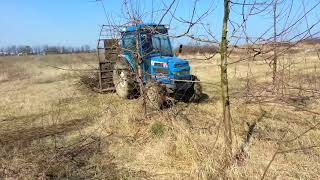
(53, 126)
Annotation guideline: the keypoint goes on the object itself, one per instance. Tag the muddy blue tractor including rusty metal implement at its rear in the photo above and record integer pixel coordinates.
(146, 48)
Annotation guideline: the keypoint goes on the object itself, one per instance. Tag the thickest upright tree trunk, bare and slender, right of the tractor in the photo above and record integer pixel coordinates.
(225, 86)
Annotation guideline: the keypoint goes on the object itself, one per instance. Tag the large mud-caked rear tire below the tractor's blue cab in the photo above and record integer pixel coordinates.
(123, 79)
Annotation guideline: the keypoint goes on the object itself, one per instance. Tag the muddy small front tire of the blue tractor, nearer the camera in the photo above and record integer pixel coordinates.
(154, 98)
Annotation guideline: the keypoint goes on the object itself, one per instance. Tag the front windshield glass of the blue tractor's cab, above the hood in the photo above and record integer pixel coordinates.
(156, 43)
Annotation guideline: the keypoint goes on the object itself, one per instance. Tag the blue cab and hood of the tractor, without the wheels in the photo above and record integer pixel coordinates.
(158, 61)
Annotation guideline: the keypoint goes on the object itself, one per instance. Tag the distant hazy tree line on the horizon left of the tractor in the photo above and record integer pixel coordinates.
(43, 50)
